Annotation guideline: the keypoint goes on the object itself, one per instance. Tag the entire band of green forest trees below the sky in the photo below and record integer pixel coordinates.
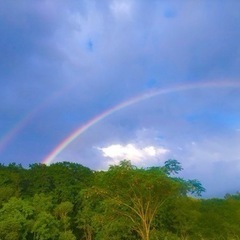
(68, 201)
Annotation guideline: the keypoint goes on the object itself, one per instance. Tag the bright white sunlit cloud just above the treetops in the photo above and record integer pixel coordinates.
(137, 155)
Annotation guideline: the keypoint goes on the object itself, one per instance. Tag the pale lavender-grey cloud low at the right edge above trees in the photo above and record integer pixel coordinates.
(213, 160)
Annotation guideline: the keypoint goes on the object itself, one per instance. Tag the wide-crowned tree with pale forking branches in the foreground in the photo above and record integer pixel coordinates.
(136, 194)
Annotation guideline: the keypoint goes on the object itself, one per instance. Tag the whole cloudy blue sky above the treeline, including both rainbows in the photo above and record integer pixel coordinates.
(95, 82)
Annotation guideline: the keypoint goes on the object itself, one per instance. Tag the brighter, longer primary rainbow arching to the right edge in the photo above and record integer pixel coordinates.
(212, 84)
